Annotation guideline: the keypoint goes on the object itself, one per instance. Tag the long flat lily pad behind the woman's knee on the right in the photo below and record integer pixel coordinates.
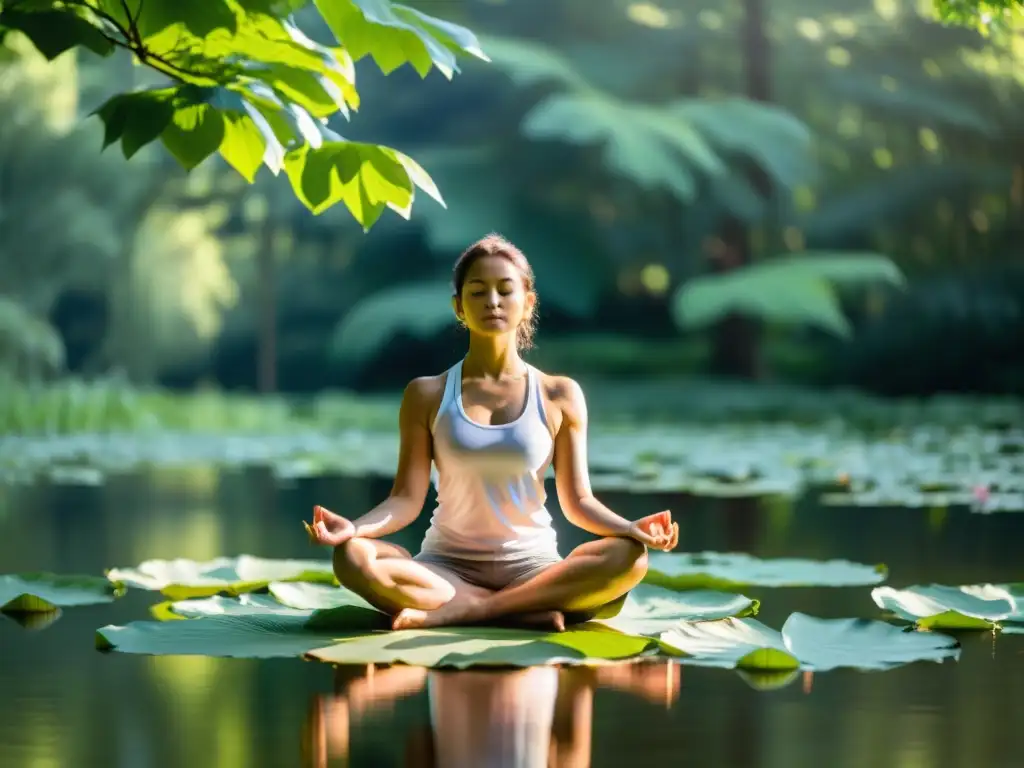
(731, 572)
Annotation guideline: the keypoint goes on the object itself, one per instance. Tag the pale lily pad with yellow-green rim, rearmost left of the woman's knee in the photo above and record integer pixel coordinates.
(183, 579)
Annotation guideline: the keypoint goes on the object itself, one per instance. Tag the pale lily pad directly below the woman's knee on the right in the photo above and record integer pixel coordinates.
(651, 611)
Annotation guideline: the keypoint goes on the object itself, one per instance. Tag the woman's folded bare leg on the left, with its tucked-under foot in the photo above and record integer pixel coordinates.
(388, 577)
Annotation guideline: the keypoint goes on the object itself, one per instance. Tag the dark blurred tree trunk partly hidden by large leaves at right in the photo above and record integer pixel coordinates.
(736, 339)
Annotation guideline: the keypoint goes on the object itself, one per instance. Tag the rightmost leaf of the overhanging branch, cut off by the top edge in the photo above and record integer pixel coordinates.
(395, 35)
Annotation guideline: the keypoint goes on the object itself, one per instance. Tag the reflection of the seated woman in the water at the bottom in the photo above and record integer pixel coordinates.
(540, 716)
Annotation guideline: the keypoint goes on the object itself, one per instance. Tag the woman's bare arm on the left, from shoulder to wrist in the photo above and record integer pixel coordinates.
(415, 454)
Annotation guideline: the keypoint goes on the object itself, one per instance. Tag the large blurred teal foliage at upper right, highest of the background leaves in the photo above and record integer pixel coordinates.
(678, 147)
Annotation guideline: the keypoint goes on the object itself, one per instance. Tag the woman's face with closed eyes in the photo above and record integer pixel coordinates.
(494, 301)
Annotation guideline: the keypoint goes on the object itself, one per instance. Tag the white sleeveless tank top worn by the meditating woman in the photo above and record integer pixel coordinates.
(490, 481)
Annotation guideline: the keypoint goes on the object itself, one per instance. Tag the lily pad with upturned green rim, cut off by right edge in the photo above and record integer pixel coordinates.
(982, 607)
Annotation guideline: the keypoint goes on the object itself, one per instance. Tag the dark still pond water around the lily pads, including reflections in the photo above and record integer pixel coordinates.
(64, 704)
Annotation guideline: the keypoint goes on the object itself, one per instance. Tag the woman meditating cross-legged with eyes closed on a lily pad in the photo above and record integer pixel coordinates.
(492, 424)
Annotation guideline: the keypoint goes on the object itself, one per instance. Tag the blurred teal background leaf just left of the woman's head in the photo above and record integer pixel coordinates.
(418, 309)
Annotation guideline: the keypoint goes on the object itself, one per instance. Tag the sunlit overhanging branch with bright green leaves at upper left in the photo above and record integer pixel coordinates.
(245, 81)
